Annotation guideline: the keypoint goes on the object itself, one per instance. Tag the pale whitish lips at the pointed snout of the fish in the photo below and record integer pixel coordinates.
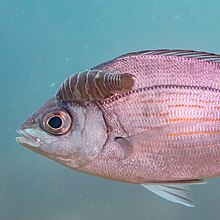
(27, 140)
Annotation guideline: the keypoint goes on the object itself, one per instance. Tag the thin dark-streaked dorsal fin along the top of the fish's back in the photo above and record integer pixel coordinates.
(211, 57)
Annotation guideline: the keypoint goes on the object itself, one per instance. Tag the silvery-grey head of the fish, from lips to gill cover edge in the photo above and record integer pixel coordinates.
(68, 132)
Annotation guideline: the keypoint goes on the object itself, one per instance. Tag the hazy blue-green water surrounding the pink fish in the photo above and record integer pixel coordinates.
(41, 44)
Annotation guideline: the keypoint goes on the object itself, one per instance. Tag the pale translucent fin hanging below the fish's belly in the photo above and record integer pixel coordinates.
(179, 193)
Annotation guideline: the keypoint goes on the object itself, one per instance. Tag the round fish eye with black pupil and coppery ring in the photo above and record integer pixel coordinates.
(57, 123)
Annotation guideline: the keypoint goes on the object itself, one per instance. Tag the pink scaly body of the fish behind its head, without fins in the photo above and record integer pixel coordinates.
(175, 104)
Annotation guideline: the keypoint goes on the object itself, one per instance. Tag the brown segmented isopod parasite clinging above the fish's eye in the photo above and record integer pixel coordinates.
(94, 85)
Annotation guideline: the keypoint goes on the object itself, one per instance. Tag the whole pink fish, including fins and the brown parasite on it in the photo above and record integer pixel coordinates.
(150, 118)
